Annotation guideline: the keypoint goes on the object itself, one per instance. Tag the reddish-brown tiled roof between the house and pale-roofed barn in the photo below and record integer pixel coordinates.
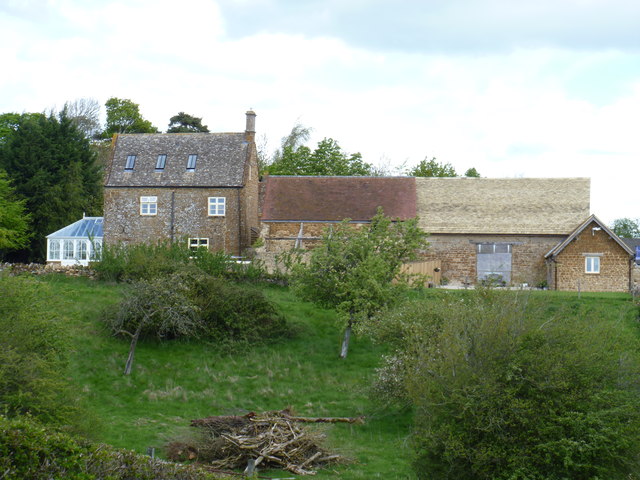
(326, 199)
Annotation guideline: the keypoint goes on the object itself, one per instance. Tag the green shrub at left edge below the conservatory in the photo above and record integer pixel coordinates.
(34, 348)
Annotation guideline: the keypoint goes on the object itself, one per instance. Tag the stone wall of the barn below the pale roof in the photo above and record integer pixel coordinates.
(458, 256)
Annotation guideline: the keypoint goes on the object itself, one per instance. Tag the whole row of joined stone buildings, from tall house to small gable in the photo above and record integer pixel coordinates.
(204, 189)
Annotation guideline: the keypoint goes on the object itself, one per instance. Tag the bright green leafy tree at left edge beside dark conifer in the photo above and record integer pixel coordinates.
(14, 221)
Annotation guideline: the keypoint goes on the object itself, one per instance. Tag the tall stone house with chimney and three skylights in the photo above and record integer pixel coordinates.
(201, 188)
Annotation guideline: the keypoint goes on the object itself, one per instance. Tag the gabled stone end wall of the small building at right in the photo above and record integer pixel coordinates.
(569, 268)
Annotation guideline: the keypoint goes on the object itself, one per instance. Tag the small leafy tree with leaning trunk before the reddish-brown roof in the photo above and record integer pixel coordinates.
(357, 270)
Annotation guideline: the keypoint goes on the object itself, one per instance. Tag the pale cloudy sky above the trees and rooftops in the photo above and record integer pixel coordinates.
(513, 88)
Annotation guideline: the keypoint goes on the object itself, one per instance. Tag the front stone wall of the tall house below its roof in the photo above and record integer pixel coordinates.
(181, 213)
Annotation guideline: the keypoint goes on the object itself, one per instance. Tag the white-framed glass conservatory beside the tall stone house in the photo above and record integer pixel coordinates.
(76, 244)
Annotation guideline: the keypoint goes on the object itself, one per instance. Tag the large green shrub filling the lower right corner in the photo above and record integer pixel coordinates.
(500, 392)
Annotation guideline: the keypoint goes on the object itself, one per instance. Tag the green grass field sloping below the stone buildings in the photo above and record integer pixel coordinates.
(174, 382)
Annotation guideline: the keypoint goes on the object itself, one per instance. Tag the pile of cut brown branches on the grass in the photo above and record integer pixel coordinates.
(270, 440)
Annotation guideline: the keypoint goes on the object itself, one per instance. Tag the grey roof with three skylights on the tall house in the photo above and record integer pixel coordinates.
(220, 163)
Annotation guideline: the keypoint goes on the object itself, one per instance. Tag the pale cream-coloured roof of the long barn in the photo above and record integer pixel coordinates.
(508, 206)
